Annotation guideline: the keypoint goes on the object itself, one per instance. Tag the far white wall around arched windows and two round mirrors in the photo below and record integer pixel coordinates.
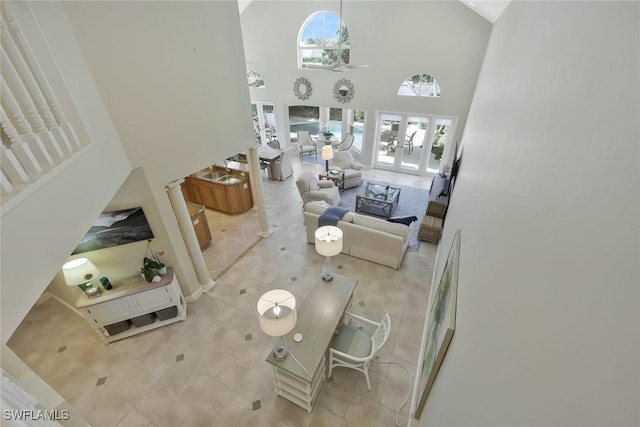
(397, 39)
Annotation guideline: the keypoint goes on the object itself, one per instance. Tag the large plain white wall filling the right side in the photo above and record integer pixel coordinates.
(548, 203)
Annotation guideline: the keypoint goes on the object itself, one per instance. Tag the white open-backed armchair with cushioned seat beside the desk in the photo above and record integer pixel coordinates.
(354, 348)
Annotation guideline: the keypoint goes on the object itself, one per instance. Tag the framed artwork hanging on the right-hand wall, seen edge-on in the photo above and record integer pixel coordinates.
(441, 322)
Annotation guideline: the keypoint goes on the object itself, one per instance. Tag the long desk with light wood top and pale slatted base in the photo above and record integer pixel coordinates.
(319, 314)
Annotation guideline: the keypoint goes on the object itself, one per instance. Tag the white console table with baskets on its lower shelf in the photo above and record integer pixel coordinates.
(133, 297)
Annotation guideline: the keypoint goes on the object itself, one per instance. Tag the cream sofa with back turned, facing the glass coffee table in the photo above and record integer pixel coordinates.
(365, 237)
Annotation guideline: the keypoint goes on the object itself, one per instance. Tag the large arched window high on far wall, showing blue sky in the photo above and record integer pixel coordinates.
(319, 40)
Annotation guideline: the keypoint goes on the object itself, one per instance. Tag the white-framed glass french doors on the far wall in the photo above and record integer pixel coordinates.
(412, 143)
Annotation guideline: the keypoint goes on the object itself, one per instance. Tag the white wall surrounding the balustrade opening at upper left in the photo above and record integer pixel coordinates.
(40, 232)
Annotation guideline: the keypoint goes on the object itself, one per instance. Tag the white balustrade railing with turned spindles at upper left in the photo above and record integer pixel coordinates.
(36, 135)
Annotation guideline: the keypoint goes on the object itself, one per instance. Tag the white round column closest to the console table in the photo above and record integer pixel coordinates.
(179, 206)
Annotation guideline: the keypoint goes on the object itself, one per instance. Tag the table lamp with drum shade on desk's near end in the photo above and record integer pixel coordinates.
(277, 317)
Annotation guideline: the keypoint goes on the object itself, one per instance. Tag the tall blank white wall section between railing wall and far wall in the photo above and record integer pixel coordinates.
(172, 76)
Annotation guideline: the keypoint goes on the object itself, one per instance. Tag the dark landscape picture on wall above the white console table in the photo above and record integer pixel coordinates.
(115, 228)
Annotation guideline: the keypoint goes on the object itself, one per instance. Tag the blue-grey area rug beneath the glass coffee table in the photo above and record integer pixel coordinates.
(413, 202)
